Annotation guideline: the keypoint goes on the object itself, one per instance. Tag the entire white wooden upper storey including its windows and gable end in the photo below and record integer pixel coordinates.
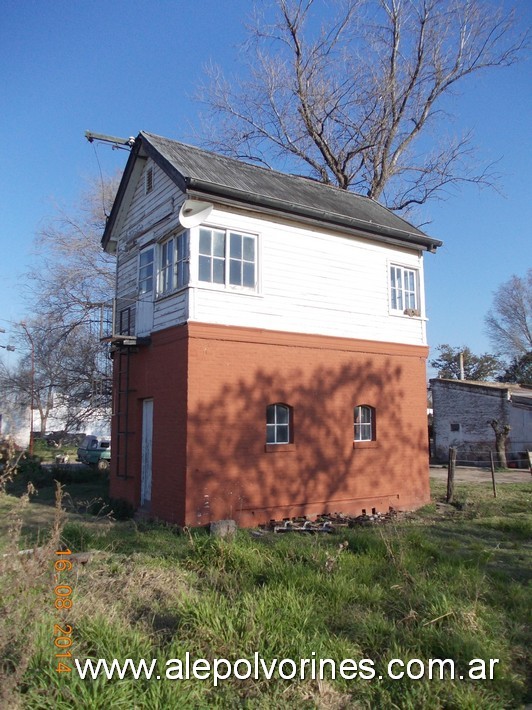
(241, 267)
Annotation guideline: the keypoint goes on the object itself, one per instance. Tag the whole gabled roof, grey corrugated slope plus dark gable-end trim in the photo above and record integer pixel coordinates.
(222, 180)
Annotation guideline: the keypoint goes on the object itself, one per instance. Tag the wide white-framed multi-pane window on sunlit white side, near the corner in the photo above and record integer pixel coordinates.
(227, 258)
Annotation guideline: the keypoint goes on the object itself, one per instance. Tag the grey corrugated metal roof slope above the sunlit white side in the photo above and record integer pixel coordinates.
(217, 174)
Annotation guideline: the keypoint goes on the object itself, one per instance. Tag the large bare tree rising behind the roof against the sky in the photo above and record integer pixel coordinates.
(348, 101)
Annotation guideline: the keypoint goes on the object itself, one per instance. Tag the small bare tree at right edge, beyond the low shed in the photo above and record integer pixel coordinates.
(509, 322)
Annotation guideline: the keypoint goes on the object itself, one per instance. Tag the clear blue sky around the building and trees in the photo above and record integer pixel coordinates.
(123, 66)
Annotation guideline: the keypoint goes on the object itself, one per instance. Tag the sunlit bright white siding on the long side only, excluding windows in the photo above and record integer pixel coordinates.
(313, 282)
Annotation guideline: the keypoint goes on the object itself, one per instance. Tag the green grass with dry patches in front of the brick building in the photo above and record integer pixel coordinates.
(448, 582)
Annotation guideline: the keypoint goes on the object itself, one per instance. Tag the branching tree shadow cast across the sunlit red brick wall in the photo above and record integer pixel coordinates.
(230, 472)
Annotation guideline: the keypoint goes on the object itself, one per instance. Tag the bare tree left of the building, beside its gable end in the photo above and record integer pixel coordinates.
(73, 277)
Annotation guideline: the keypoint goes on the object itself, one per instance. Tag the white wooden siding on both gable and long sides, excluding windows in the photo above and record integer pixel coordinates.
(310, 281)
